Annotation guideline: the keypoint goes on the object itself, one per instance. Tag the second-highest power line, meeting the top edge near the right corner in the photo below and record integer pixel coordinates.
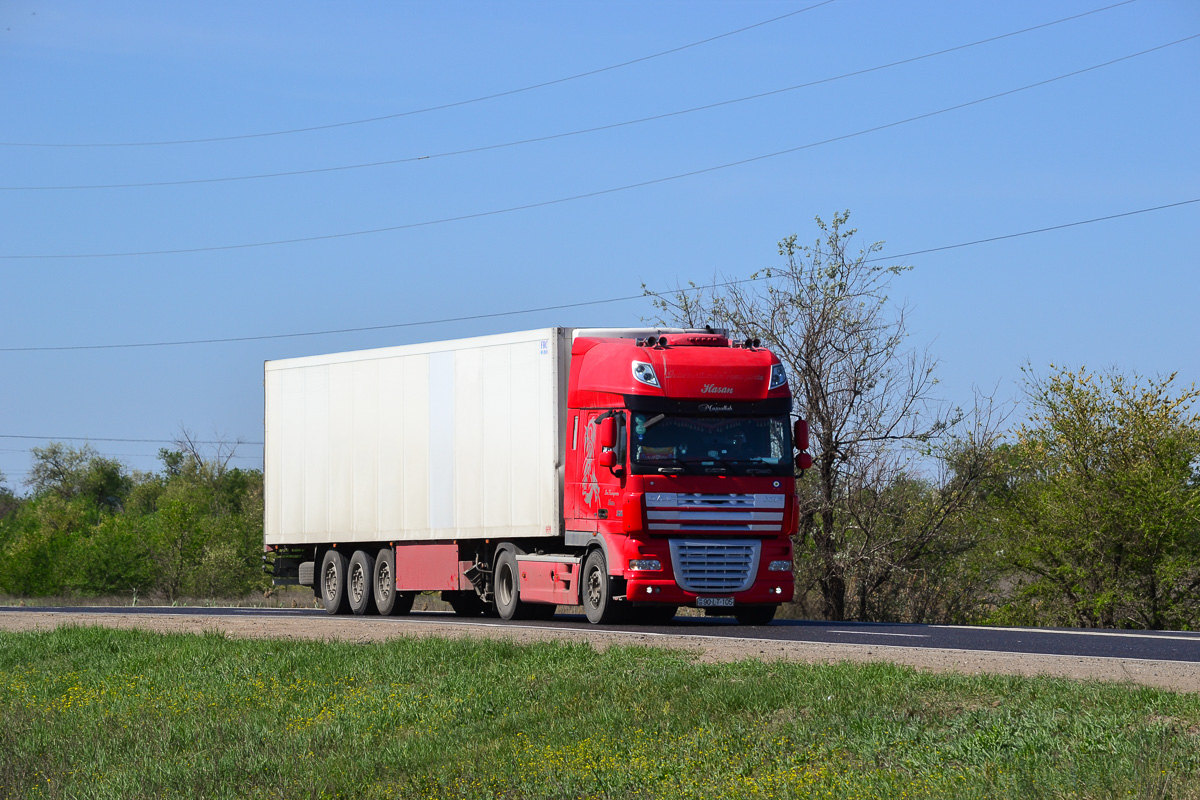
(551, 137)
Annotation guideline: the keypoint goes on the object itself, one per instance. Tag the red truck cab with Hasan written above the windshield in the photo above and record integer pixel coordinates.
(681, 467)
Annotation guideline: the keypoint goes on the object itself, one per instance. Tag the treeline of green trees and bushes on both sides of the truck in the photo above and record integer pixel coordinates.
(1084, 514)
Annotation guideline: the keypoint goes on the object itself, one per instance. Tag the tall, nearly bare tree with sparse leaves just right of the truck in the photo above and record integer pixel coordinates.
(869, 401)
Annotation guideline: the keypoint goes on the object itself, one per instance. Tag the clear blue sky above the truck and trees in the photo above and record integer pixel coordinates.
(1115, 140)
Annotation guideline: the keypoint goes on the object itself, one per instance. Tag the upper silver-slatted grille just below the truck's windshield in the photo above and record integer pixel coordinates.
(733, 514)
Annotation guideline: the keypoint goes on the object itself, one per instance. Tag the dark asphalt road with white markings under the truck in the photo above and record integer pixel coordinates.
(1155, 646)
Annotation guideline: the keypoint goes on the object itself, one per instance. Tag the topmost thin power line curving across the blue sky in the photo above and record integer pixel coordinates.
(429, 109)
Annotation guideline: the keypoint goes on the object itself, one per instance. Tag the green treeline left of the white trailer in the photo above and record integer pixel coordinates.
(93, 527)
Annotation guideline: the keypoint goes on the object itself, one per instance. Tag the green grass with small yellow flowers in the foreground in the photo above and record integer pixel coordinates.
(94, 713)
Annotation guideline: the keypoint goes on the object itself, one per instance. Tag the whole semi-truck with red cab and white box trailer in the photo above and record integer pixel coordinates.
(628, 472)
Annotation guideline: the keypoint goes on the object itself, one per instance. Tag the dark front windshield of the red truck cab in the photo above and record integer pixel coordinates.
(700, 446)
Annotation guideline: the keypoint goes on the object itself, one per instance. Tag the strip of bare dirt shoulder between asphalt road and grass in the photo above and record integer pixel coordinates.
(1162, 675)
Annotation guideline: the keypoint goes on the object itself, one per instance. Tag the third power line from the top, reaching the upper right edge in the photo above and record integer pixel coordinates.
(615, 190)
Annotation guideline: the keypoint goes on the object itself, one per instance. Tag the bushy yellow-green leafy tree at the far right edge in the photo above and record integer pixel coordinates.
(1103, 516)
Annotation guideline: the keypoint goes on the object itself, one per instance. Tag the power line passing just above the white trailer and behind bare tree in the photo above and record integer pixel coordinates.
(574, 305)
